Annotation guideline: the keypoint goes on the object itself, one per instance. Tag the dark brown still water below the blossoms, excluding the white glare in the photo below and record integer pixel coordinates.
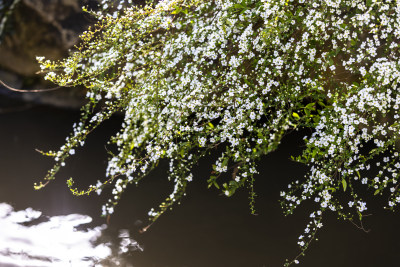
(207, 229)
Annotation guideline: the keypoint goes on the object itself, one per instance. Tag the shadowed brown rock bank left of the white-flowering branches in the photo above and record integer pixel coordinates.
(48, 28)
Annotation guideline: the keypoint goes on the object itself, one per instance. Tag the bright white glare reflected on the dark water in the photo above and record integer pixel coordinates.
(56, 241)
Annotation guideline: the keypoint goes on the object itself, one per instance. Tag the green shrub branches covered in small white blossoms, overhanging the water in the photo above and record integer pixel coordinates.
(191, 76)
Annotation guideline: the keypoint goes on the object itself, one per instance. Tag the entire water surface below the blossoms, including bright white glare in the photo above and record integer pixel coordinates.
(207, 229)
